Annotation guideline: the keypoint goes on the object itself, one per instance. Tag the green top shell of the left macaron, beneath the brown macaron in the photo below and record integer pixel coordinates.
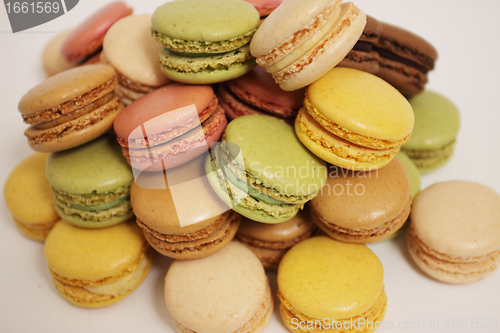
(96, 167)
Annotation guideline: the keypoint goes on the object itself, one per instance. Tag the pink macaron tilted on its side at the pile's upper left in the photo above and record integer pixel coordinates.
(85, 41)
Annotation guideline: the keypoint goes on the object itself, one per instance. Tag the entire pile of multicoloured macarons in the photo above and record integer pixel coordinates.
(299, 128)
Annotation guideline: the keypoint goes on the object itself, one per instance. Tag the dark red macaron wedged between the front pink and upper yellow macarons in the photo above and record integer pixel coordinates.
(257, 93)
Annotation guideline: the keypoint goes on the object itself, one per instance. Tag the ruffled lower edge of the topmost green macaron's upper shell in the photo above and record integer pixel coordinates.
(191, 46)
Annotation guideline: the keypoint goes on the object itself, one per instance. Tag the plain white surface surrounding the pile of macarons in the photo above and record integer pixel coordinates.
(467, 71)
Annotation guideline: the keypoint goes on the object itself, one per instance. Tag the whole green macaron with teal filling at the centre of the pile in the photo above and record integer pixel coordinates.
(262, 170)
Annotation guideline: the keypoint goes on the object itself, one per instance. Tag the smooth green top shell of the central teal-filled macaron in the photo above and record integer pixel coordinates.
(273, 154)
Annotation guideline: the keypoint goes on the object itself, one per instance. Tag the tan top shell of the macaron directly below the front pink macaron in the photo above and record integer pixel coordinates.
(159, 209)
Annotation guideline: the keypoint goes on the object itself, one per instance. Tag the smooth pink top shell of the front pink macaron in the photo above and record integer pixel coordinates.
(164, 102)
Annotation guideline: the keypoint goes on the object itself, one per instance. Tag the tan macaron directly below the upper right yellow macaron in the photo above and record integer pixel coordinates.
(363, 207)
